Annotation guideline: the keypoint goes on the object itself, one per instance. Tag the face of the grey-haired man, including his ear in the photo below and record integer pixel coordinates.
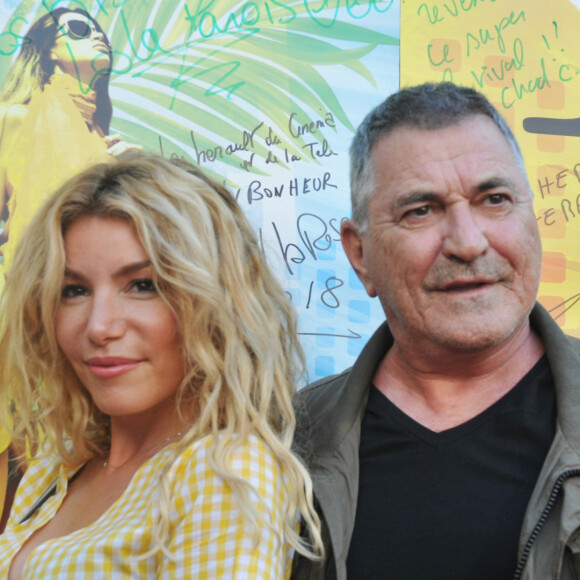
(452, 248)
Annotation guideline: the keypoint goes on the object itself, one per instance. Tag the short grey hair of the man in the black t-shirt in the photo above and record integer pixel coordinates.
(428, 106)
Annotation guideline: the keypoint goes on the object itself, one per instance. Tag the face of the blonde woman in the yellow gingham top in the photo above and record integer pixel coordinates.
(120, 337)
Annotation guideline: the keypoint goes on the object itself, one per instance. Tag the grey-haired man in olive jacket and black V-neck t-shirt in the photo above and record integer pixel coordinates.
(451, 449)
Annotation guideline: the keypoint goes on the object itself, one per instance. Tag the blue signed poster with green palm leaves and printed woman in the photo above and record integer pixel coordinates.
(264, 95)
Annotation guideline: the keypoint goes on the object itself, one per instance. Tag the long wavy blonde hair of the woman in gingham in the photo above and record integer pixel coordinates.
(238, 327)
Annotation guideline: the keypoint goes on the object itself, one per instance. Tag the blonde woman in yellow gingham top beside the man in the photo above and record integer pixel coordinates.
(150, 356)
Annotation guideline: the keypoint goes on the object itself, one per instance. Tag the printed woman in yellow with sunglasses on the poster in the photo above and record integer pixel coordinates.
(55, 113)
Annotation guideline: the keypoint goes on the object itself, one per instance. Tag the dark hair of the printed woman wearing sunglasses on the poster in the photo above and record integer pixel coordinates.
(33, 67)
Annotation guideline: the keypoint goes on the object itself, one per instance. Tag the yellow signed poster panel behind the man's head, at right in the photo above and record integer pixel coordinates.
(525, 57)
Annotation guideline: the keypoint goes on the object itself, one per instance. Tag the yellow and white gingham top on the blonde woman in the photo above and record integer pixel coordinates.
(208, 536)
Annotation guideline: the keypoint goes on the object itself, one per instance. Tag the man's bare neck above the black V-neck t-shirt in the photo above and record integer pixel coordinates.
(448, 390)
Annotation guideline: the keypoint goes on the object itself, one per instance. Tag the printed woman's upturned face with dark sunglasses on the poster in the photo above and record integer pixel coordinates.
(80, 48)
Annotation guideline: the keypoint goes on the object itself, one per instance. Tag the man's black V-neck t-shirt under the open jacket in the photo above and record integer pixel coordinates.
(449, 505)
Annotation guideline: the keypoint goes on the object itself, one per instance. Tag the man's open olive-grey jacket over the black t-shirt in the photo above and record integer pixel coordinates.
(328, 435)
